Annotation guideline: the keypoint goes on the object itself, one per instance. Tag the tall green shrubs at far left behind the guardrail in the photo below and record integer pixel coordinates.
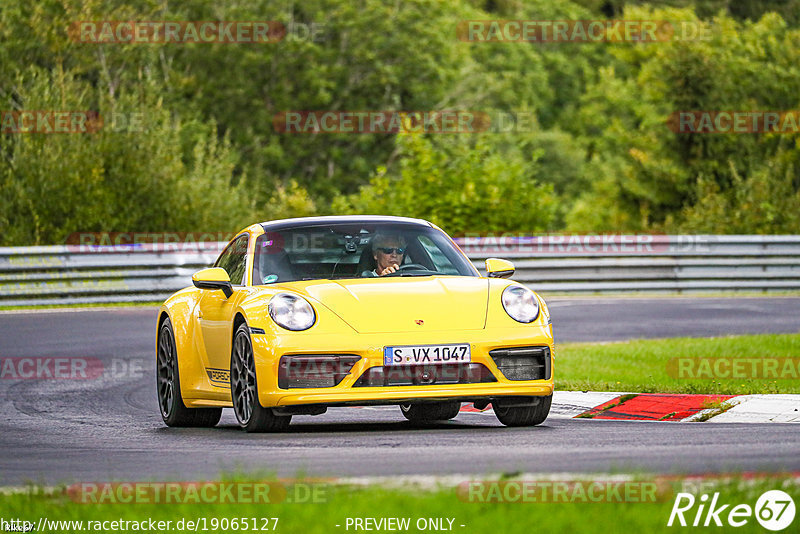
(164, 172)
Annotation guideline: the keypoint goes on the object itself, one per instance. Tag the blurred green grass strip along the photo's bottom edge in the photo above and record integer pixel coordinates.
(455, 509)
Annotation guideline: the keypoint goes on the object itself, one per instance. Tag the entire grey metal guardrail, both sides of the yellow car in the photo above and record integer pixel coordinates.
(564, 264)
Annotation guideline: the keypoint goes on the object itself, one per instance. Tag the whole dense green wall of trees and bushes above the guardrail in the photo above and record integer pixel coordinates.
(598, 156)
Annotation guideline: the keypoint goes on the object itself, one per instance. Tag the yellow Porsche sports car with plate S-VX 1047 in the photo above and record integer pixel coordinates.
(298, 315)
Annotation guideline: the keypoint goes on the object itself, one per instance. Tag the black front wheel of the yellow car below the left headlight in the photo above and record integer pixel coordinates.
(251, 415)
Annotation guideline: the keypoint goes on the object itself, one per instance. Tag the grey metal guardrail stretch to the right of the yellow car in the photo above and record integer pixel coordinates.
(677, 263)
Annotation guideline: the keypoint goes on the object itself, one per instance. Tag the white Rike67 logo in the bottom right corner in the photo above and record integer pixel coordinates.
(774, 510)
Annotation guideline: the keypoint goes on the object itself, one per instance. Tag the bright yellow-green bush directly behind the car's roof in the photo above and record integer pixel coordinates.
(462, 185)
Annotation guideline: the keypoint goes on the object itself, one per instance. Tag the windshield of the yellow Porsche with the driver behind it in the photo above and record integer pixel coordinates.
(348, 250)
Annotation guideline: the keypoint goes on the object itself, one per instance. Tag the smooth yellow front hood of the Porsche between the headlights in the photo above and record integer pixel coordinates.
(398, 304)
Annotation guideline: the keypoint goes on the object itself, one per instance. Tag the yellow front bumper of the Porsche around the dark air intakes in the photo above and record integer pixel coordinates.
(268, 349)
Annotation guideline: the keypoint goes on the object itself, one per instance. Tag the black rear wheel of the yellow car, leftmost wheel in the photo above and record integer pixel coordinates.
(168, 386)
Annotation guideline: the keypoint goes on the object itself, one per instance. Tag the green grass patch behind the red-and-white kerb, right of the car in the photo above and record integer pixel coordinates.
(653, 366)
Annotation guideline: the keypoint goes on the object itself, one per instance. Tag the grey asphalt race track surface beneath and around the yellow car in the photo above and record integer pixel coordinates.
(109, 428)
